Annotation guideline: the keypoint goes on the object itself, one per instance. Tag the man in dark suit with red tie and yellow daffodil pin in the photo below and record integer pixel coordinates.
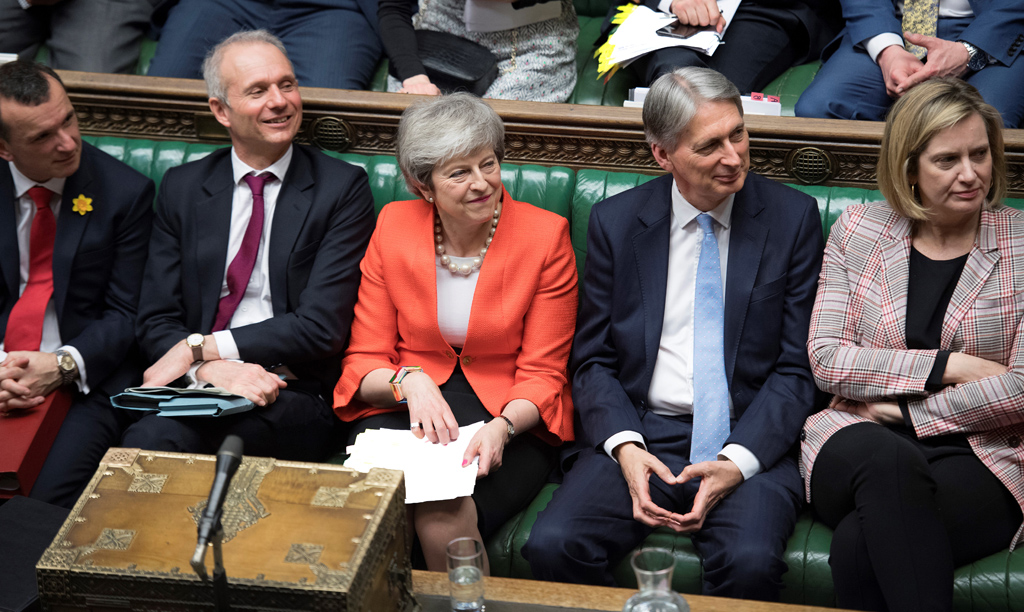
(74, 230)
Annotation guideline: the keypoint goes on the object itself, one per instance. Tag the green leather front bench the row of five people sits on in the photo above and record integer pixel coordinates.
(995, 584)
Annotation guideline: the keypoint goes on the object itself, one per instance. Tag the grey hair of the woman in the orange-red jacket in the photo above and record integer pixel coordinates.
(447, 127)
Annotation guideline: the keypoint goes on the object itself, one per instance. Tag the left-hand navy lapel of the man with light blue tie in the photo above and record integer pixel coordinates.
(651, 247)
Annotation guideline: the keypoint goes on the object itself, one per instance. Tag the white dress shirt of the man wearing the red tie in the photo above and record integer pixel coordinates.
(25, 213)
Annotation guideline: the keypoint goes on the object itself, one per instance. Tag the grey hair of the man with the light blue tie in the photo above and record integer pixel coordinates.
(675, 99)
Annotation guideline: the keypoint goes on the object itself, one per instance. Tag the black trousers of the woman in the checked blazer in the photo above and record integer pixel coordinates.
(906, 515)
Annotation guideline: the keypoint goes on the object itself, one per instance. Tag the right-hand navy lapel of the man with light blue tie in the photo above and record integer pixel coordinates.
(747, 243)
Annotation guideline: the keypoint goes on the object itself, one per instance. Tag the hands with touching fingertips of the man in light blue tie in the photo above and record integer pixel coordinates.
(718, 479)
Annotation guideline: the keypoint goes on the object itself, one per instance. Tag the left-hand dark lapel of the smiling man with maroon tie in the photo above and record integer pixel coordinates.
(214, 223)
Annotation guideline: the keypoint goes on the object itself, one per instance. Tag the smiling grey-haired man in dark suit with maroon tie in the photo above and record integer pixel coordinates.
(254, 268)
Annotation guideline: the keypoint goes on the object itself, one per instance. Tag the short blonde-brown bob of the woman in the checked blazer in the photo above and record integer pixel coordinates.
(915, 119)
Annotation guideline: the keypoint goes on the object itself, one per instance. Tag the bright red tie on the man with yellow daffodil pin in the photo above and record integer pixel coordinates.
(25, 326)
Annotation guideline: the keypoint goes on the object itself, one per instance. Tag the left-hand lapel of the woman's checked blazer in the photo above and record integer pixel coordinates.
(895, 251)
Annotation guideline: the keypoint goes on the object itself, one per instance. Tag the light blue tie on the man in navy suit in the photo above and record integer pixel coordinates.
(711, 391)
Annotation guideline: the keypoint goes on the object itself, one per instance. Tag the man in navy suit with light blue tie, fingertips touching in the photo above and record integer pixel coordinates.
(698, 399)
